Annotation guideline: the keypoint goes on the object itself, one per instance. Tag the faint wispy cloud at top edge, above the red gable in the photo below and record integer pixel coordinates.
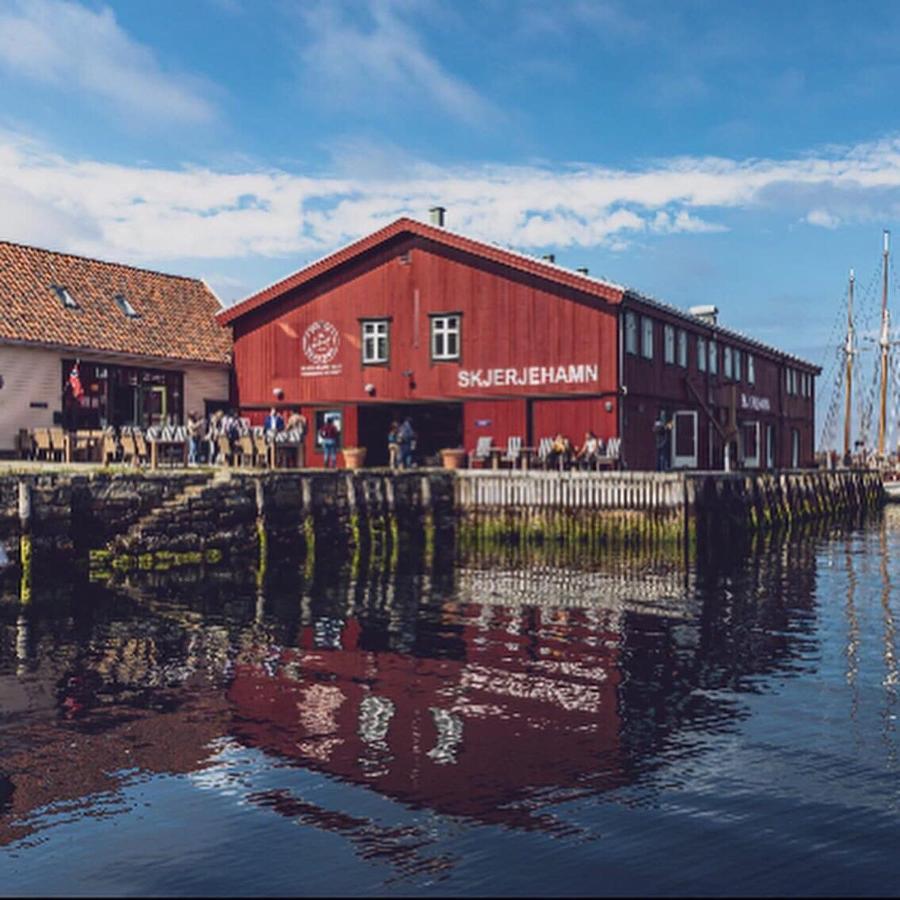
(382, 62)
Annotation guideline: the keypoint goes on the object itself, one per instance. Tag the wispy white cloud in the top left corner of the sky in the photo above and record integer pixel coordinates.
(68, 46)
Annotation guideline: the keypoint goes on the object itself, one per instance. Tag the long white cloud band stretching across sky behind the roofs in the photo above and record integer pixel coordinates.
(134, 214)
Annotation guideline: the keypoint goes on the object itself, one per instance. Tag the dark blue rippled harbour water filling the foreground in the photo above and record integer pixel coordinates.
(503, 726)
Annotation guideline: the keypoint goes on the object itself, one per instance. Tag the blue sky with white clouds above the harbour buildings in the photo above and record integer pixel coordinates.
(741, 154)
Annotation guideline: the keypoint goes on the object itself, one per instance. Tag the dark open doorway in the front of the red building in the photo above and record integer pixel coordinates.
(437, 425)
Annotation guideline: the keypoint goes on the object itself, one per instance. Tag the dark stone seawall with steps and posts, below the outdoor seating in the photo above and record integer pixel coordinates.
(234, 513)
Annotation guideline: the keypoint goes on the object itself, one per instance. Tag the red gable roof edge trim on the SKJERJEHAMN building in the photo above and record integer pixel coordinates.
(518, 261)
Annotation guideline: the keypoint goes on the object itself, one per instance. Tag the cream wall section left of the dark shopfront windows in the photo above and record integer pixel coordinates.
(29, 376)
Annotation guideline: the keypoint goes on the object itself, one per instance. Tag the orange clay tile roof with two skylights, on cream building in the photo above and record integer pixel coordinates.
(176, 315)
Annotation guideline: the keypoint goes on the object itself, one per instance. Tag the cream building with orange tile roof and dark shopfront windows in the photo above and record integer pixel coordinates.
(145, 346)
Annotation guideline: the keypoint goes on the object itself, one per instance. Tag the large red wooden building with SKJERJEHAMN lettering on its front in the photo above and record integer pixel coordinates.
(474, 340)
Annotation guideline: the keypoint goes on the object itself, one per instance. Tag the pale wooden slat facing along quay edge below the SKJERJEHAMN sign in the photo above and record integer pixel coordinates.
(490, 489)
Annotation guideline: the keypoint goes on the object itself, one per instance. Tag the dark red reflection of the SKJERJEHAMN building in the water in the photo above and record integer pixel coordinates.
(485, 736)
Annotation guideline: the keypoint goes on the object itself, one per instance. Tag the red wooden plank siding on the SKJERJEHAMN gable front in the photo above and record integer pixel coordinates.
(509, 321)
